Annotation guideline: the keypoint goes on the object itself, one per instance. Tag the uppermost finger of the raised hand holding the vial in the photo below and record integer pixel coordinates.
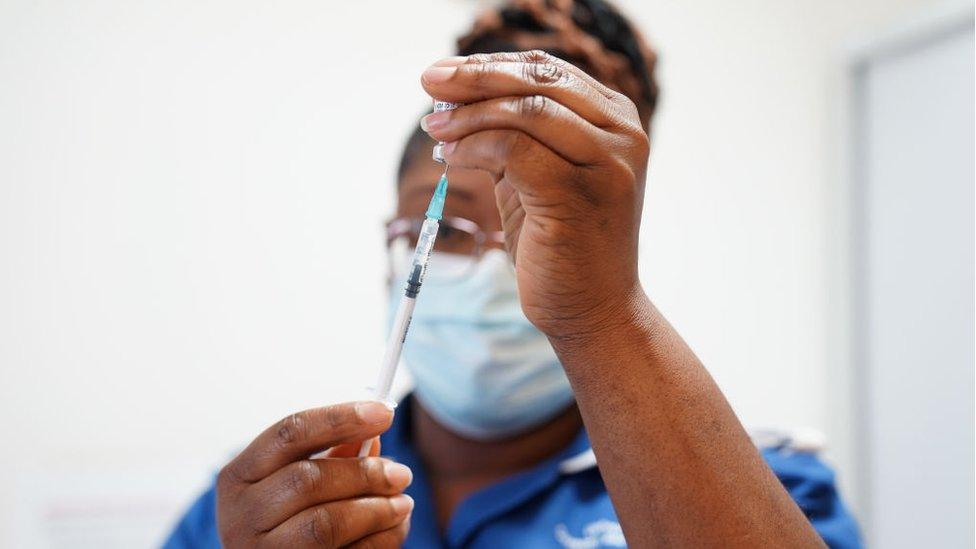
(489, 76)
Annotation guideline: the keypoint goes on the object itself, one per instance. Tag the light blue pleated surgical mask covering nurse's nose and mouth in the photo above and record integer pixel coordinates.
(479, 366)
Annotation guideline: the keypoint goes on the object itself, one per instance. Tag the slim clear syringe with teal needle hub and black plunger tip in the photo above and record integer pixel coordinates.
(401, 322)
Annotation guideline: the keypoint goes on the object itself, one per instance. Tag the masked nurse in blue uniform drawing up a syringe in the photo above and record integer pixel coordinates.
(566, 414)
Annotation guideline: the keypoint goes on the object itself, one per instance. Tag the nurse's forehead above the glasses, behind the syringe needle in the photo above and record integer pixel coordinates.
(470, 194)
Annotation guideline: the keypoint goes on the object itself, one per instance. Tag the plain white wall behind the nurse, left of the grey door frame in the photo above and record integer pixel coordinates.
(173, 174)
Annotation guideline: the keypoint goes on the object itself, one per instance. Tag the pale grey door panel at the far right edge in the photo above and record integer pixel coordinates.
(915, 272)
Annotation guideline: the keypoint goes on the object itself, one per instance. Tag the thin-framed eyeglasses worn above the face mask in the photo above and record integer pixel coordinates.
(460, 244)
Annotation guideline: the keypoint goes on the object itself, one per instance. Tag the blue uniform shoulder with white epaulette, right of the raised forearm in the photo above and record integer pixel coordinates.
(794, 458)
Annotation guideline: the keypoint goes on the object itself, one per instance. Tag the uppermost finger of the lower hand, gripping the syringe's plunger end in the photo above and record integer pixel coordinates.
(300, 435)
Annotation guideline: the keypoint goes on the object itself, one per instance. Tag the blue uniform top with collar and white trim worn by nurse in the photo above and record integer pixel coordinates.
(560, 503)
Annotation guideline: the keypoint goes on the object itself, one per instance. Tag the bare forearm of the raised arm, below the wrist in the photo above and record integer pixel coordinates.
(680, 469)
